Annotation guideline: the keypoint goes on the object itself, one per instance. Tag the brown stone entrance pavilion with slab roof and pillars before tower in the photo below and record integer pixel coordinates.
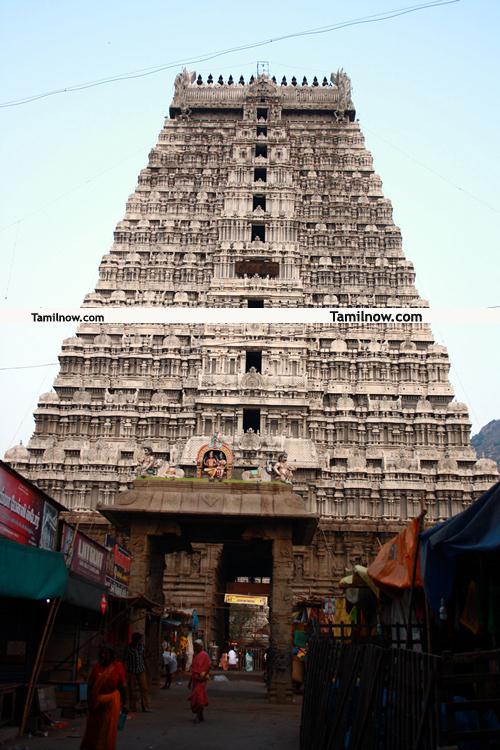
(162, 516)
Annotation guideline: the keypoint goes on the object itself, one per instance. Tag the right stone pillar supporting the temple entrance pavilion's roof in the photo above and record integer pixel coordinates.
(280, 683)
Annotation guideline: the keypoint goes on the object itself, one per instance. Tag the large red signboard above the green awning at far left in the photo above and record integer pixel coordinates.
(21, 510)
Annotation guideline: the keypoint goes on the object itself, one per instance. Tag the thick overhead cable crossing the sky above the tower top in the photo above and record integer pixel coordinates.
(142, 73)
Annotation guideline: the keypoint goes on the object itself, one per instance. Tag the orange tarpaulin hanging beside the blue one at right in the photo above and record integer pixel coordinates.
(393, 565)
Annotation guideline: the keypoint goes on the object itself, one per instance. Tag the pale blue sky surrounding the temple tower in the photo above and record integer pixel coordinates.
(425, 89)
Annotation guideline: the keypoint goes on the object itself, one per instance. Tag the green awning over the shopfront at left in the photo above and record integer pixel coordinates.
(31, 573)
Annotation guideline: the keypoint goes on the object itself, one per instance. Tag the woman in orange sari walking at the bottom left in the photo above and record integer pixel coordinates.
(106, 697)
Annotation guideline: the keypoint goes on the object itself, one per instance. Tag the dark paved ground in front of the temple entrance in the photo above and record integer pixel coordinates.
(238, 715)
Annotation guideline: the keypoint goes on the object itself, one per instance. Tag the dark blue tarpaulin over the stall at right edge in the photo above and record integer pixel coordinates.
(476, 529)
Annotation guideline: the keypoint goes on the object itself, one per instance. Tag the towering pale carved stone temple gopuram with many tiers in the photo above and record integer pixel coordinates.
(261, 194)
